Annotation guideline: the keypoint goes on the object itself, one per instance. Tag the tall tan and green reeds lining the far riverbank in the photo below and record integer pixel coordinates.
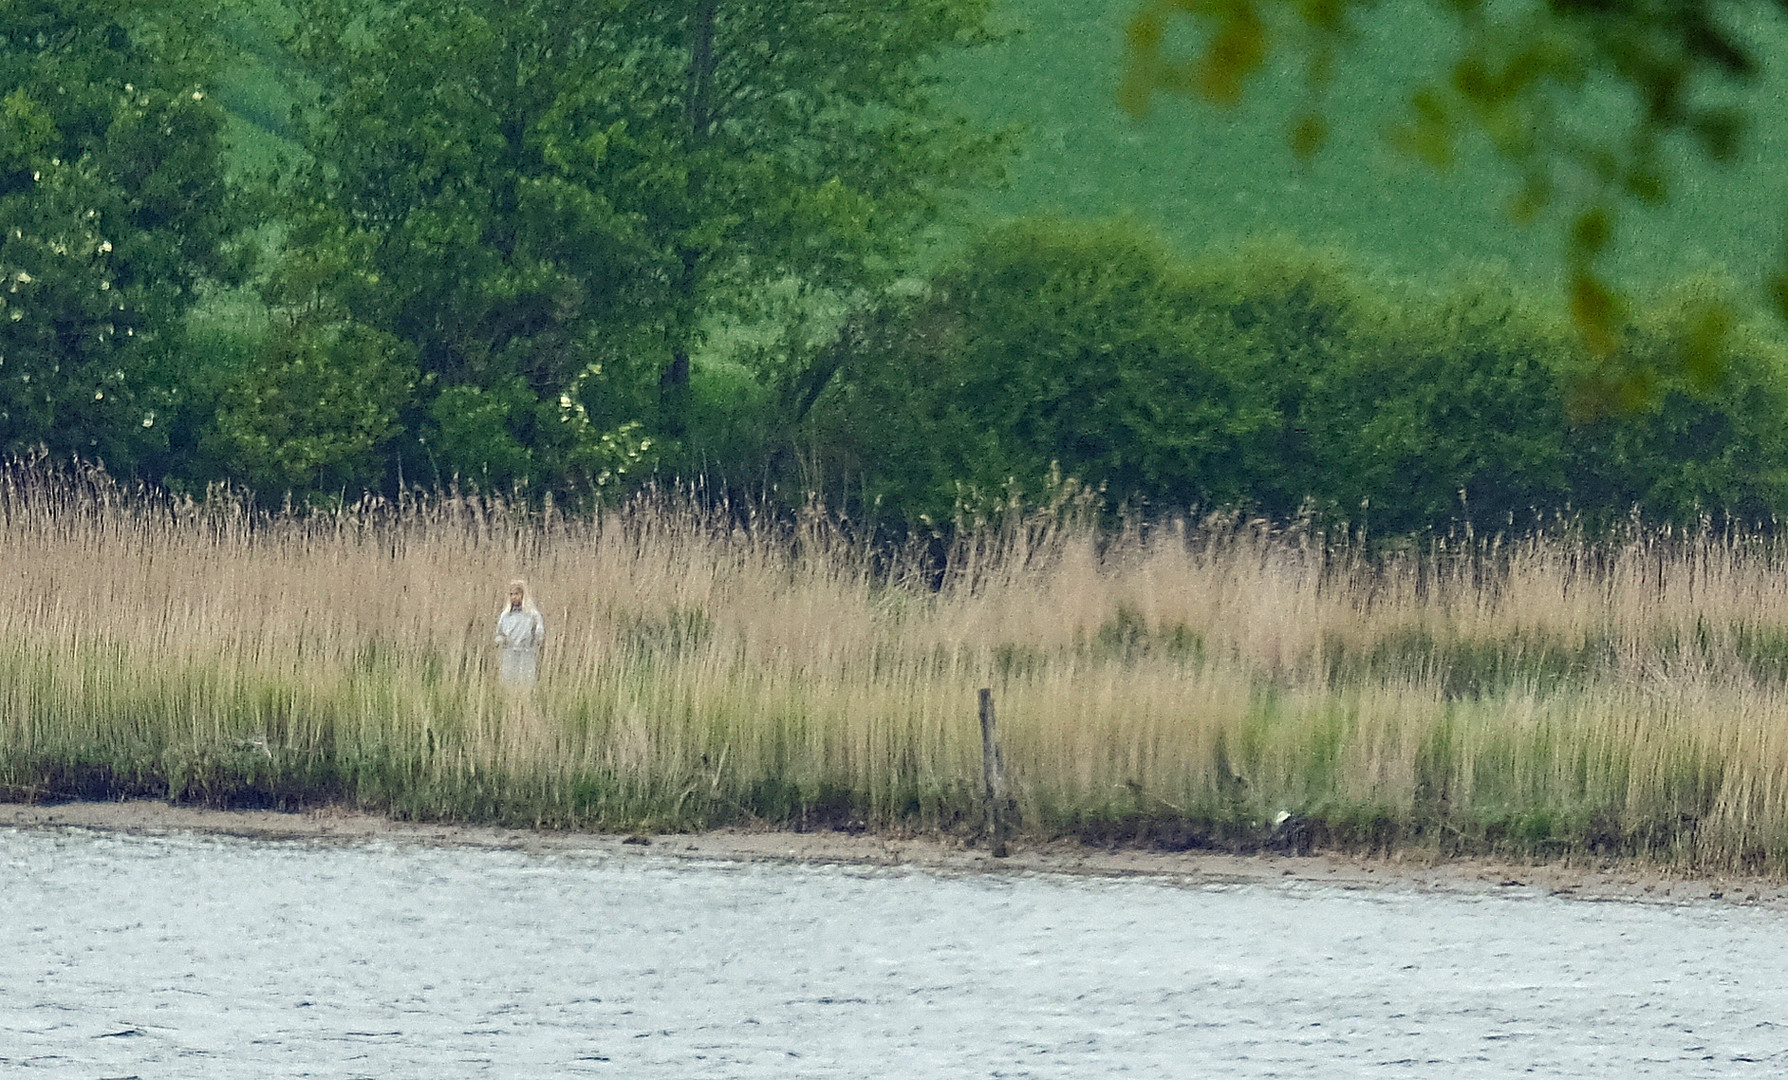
(1181, 686)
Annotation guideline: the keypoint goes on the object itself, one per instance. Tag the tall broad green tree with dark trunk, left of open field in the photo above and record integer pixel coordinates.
(548, 199)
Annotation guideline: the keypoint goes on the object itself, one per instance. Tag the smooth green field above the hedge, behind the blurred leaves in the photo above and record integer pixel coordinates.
(1210, 178)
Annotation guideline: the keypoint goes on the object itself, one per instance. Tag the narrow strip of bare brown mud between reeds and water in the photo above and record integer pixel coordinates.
(1624, 881)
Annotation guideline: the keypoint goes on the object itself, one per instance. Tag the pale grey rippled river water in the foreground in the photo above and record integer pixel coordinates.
(223, 958)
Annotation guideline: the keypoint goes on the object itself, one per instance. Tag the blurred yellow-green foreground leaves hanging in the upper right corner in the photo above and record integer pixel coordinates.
(1682, 80)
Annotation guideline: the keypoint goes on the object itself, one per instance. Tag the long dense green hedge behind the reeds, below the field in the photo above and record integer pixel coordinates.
(1281, 384)
